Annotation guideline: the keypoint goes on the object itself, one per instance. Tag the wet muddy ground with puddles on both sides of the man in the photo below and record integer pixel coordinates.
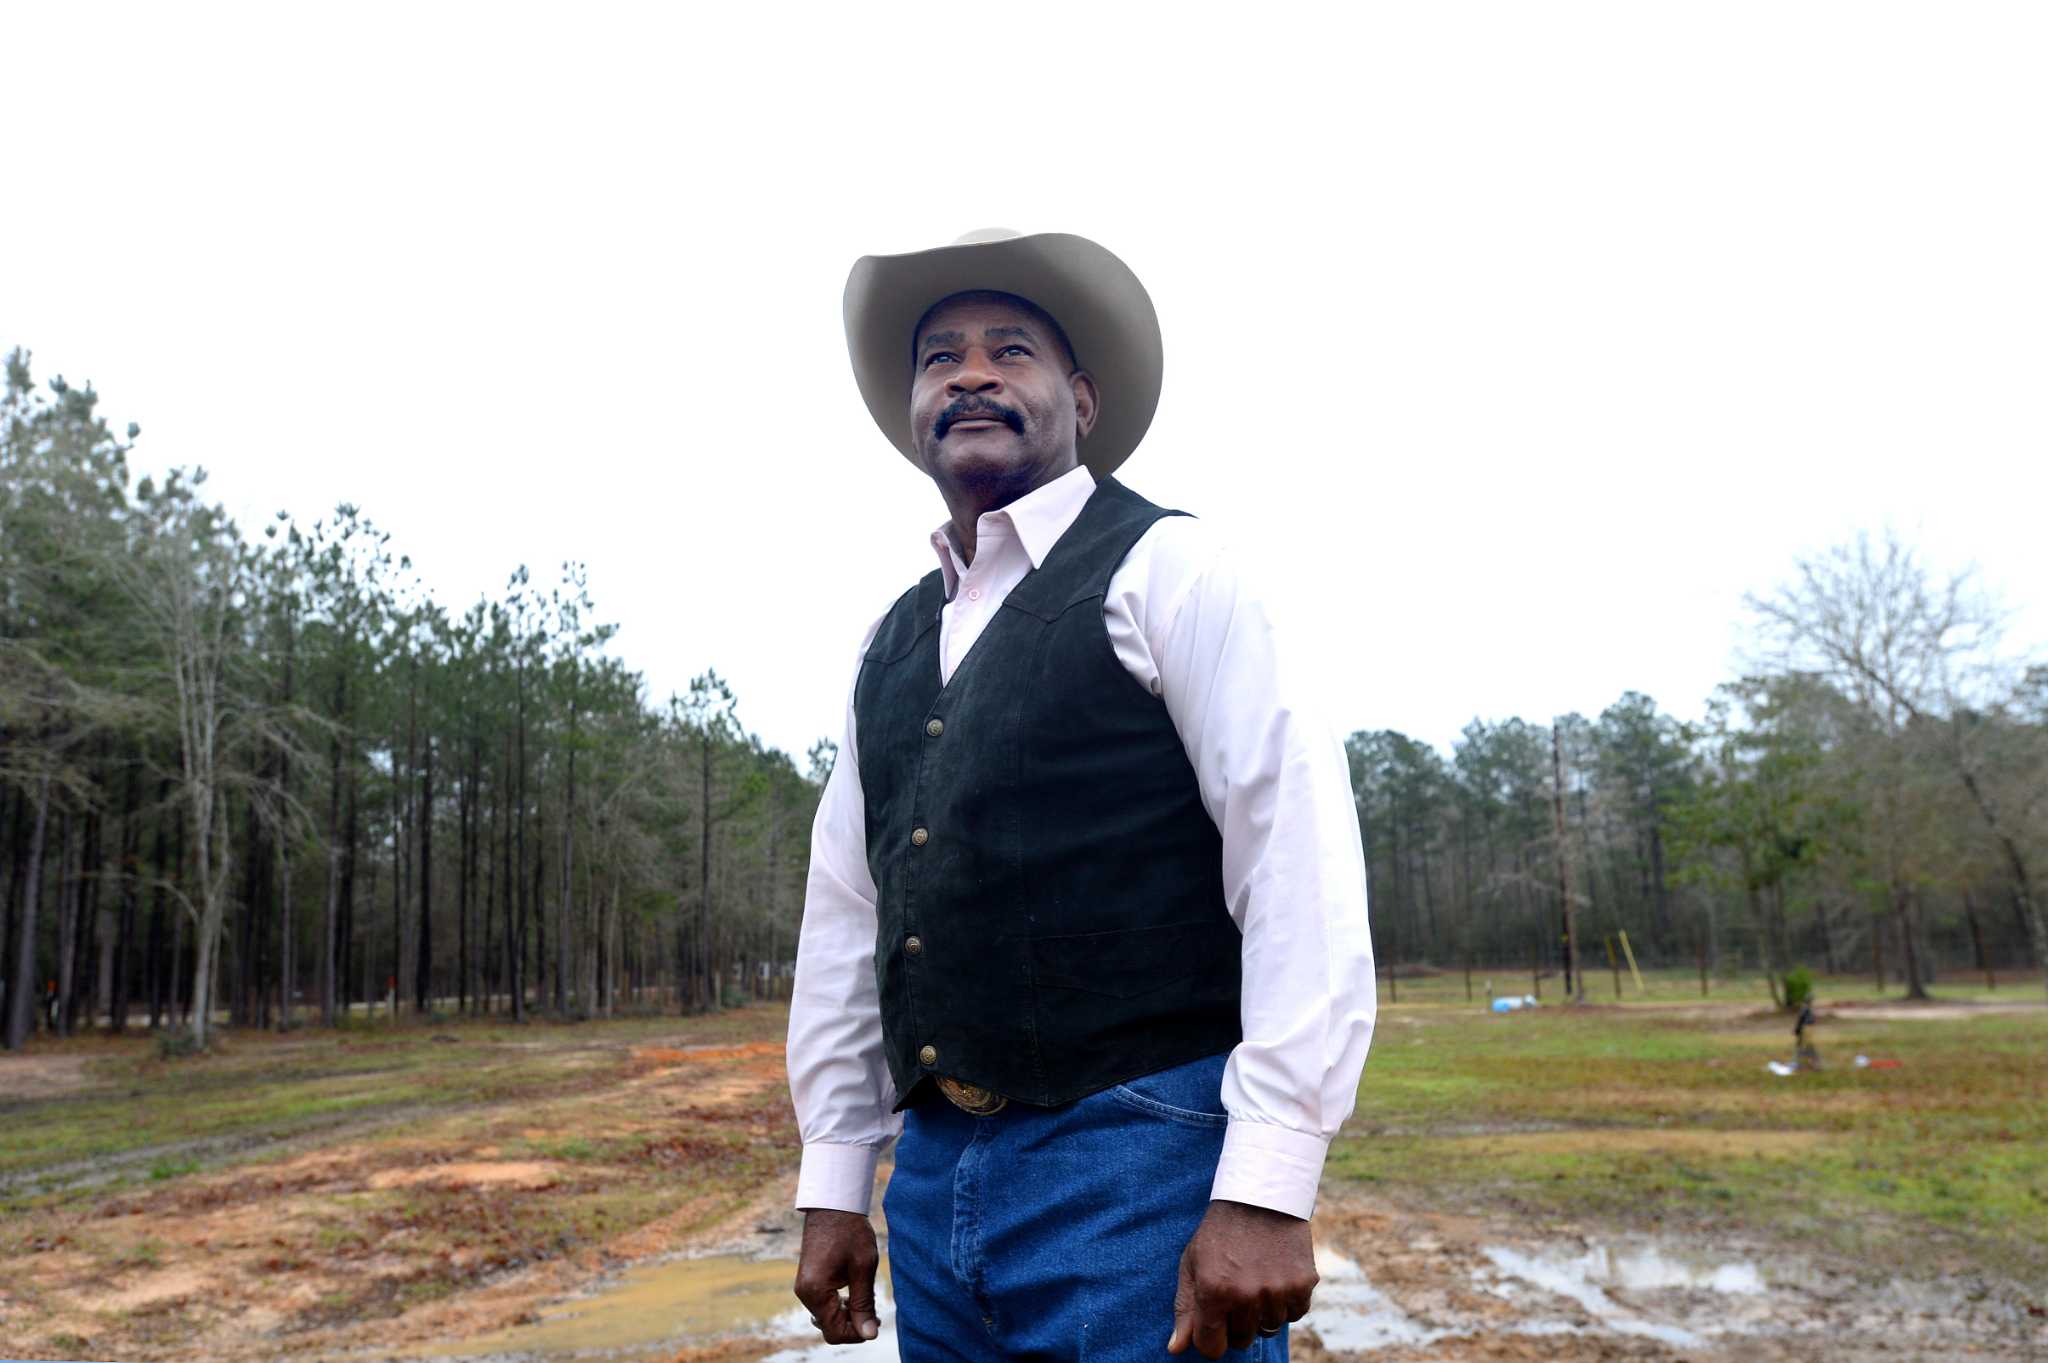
(1398, 1286)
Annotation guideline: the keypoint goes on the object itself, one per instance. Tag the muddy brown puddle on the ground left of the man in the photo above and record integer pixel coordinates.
(667, 1305)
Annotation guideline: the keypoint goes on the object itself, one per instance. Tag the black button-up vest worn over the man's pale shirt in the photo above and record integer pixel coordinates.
(1050, 916)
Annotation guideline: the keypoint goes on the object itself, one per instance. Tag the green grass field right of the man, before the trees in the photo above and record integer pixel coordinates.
(1662, 1112)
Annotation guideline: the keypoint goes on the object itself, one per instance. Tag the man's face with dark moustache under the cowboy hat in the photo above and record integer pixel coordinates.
(994, 398)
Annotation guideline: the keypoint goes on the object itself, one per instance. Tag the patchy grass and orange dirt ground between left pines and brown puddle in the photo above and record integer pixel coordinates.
(306, 1166)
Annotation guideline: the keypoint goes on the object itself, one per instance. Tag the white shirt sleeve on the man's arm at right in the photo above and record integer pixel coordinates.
(1191, 625)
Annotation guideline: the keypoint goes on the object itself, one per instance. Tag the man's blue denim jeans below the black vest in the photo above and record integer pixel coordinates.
(1056, 1233)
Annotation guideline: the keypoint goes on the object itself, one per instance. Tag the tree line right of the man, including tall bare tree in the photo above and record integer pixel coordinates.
(1873, 795)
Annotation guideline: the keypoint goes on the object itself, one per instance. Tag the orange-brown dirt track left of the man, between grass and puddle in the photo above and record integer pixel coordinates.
(366, 1241)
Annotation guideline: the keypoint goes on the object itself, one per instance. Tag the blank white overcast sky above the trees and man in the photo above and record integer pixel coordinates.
(1517, 343)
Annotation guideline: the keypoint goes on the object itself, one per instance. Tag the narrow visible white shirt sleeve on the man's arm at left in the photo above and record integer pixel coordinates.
(839, 1080)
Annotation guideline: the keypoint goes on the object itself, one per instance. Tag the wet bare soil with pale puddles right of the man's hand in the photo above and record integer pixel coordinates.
(1402, 1286)
